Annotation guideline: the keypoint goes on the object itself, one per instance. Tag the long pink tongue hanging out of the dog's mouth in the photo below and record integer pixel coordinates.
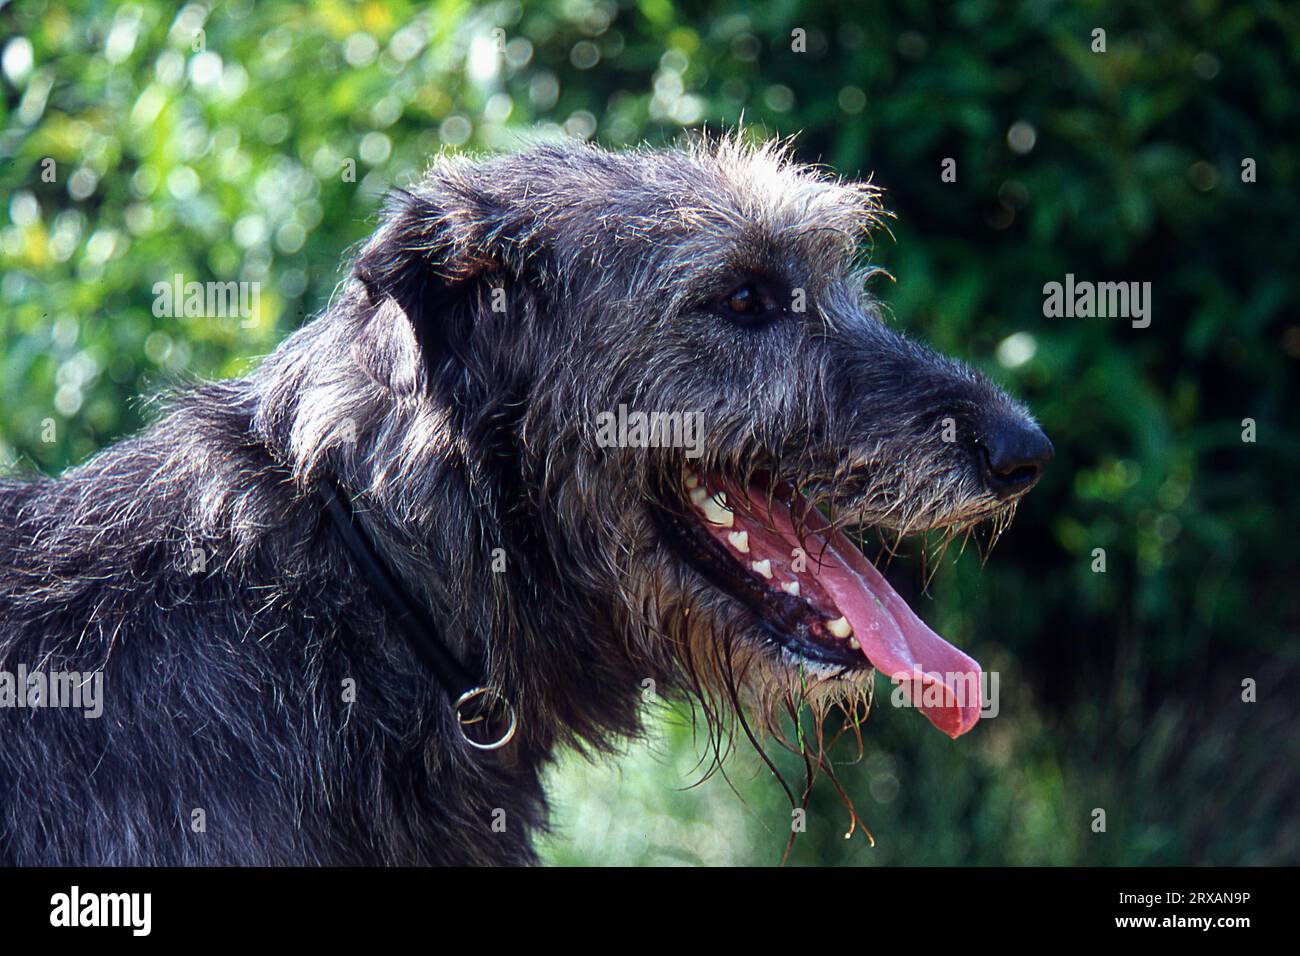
(938, 678)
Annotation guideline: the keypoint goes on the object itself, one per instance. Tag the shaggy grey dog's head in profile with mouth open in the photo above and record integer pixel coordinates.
(662, 370)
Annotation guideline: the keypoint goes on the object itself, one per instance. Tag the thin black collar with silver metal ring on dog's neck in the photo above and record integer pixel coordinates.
(474, 702)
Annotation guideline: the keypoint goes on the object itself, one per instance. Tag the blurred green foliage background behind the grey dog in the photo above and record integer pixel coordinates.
(1120, 691)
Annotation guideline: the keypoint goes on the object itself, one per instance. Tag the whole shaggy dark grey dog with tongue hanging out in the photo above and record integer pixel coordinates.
(265, 700)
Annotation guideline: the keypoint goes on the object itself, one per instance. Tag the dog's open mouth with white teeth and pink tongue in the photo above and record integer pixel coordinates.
(818, 598)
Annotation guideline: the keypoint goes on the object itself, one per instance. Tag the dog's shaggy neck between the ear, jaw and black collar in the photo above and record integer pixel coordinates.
(445, 499)
